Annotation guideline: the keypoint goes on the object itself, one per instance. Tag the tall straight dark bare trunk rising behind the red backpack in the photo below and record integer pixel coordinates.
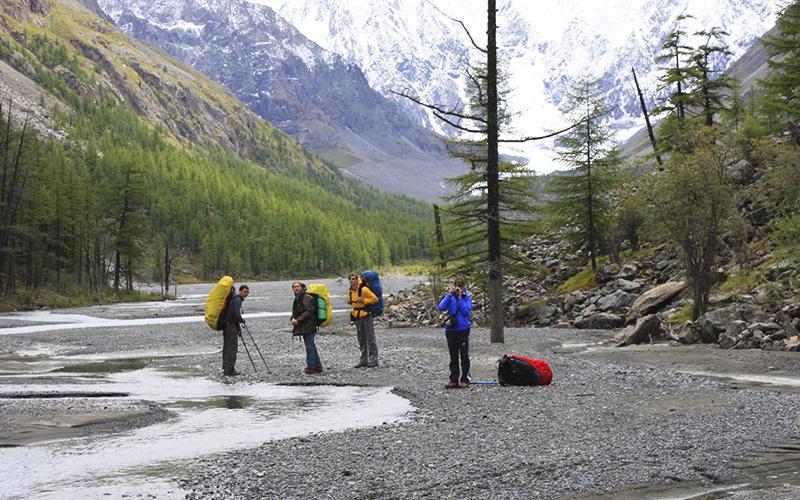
(493, 180)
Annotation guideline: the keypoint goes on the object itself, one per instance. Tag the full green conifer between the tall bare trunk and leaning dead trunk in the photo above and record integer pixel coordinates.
(581, 204)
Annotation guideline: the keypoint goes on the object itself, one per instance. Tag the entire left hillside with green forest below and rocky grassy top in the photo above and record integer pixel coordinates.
(120, 158)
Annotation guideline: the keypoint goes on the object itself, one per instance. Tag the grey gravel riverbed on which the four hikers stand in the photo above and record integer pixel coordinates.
(614, 422)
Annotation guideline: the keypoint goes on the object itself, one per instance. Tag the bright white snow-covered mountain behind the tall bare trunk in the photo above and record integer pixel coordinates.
(416, 44)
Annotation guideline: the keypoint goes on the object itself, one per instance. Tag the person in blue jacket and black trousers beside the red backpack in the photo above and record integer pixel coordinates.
(458, 304)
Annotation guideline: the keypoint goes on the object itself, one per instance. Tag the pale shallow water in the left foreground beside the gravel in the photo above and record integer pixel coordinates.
(212, 417)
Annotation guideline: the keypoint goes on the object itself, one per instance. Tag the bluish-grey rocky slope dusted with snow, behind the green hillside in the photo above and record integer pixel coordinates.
(314, 95)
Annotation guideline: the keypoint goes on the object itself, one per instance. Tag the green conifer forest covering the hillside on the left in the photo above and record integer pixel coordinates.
(122, 200)
